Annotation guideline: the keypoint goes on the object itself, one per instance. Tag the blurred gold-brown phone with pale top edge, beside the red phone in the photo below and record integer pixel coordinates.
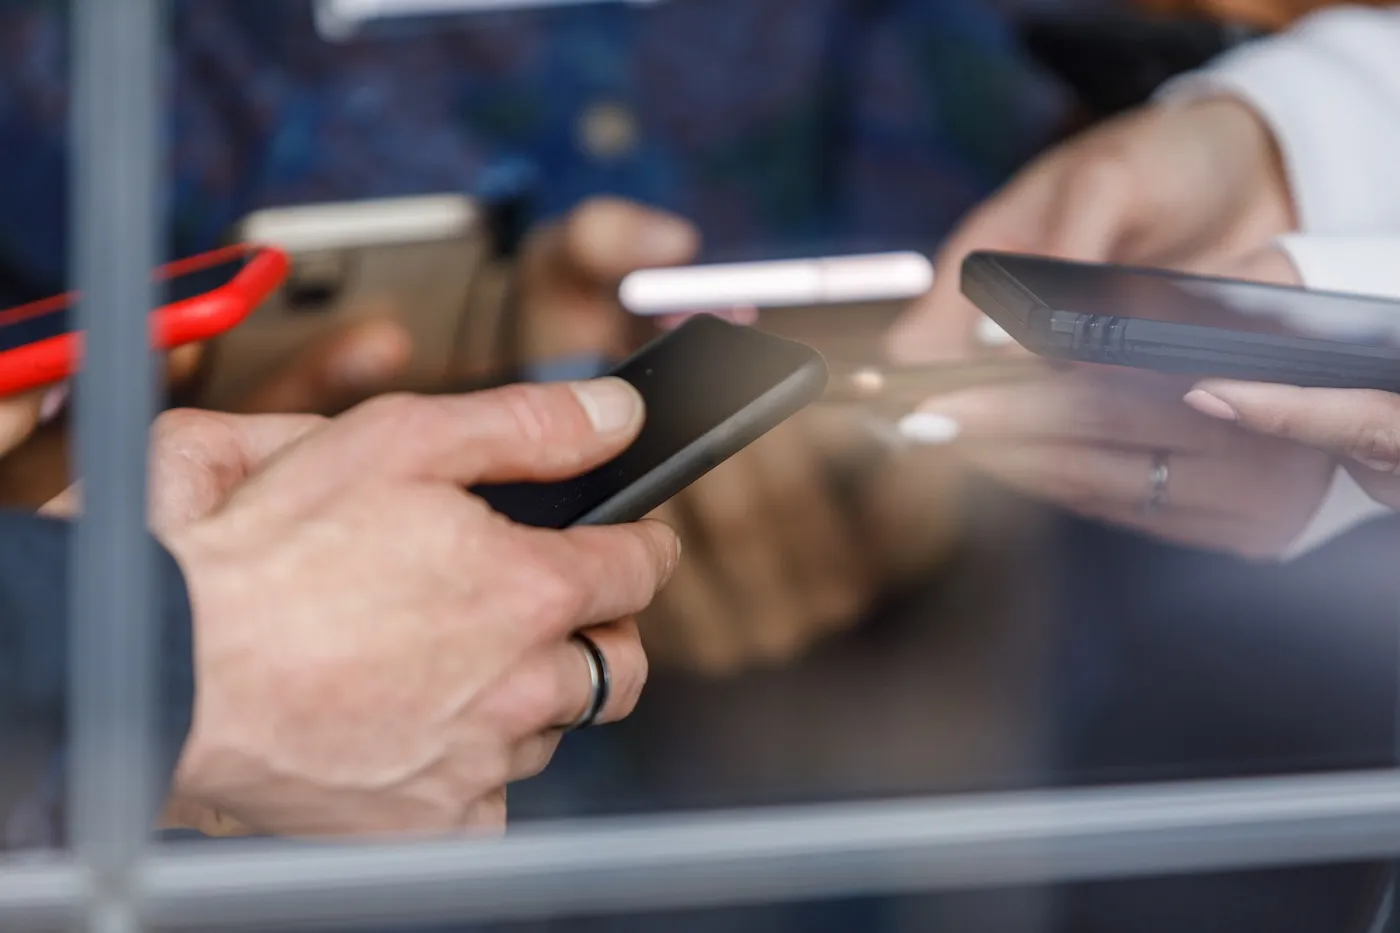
(416, 257)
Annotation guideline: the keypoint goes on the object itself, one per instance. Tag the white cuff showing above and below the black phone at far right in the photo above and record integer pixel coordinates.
(1364, 265)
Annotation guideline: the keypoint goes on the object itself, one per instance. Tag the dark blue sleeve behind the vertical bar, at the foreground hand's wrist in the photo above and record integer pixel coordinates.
(34, 602)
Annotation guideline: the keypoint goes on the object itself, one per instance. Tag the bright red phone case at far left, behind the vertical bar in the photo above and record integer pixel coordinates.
(190, 322)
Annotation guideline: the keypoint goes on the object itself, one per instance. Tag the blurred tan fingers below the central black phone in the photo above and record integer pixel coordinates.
(775, 562)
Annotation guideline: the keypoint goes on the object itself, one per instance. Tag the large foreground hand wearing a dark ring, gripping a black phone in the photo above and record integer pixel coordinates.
(376, 649)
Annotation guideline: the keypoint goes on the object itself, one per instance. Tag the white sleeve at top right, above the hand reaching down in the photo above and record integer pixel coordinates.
(1329, 90)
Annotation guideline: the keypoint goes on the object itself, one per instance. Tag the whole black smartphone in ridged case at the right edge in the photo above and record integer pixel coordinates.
(1200, 326)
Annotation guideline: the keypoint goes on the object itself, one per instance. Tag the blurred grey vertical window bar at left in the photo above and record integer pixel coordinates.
(113, 623)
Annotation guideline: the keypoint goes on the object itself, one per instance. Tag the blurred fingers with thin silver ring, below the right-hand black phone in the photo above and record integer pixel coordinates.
(1090, 441)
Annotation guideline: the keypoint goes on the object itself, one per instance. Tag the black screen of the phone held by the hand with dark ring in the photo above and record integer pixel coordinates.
(696, 379)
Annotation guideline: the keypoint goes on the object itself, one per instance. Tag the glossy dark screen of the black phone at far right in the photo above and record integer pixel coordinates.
(1223, 305)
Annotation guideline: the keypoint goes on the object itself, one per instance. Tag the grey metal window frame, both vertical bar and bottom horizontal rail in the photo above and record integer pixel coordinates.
(114, 883)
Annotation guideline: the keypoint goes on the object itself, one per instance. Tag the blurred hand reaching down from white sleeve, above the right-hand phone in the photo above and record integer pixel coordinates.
(1185, 187)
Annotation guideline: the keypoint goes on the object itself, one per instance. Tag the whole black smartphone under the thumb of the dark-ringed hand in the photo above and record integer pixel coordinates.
(712, 389)
